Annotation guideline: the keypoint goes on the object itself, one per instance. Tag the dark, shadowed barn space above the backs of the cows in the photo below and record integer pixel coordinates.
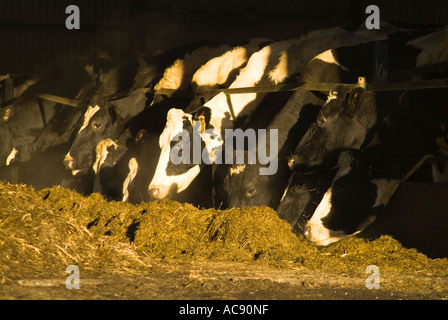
(33, 36)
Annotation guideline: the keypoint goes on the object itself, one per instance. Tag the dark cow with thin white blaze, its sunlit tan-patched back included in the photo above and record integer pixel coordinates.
(107, 117)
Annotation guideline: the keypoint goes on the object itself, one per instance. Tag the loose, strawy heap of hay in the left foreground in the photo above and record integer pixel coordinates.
(37, 241)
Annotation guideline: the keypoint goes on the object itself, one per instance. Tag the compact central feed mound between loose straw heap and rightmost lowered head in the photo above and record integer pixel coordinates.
(168, 229)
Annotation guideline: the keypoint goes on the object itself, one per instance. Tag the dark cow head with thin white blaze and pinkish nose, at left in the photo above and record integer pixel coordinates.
(104, 119)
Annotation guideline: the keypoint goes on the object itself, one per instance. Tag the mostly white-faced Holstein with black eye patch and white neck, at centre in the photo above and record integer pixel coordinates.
(207, 125)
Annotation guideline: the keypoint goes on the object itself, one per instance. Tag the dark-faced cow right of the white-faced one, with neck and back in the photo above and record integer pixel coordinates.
(242, 184)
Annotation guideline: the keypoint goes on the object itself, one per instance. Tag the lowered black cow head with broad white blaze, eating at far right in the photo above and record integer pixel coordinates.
(350, 204)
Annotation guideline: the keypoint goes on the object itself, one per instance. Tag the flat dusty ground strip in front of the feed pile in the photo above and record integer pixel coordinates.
(224, 281)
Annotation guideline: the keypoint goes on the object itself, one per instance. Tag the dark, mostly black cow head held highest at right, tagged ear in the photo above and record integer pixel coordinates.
(342, 124)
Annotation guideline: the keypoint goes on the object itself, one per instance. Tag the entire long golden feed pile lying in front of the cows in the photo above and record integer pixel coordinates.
(44, 231)
